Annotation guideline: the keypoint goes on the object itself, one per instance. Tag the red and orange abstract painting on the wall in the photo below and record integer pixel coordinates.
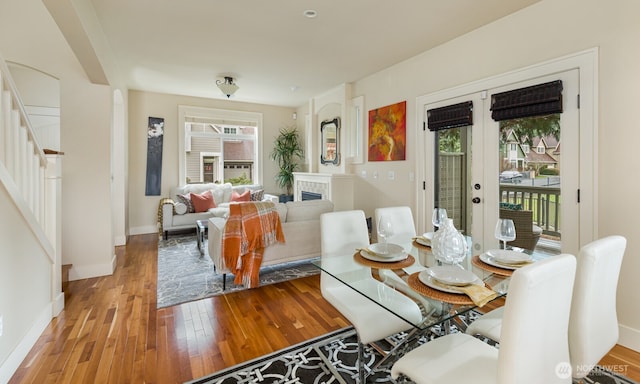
(388, 132)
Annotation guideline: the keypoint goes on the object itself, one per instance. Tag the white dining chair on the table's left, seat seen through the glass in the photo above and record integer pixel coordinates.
(341, 234)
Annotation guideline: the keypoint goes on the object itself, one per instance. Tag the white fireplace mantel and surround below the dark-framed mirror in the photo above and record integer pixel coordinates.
(335, 187)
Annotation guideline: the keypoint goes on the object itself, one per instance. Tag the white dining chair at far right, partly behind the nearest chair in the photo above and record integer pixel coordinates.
(593, 328)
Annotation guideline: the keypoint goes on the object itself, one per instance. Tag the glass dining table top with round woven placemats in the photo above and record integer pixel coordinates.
(440, 305)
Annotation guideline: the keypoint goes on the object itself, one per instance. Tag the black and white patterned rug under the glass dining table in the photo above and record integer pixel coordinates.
(332, 359)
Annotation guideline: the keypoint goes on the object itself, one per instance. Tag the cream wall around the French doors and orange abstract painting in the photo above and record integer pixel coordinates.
(544, 31)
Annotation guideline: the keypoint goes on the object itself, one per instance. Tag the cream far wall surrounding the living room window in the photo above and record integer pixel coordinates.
(143, 209)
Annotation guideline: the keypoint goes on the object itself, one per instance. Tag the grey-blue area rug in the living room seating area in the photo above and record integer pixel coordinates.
(185, 275)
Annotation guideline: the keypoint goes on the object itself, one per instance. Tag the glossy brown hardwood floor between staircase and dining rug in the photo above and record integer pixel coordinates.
(111, 332)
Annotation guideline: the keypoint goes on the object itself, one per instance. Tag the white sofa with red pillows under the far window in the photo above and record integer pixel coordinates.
(171, 216)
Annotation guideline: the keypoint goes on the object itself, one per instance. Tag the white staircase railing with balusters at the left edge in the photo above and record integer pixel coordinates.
(23, 164)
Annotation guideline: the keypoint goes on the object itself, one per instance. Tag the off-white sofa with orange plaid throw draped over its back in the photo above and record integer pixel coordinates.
(300, 224)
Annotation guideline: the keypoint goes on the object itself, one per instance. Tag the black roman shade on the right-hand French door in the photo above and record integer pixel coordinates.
(536, 100)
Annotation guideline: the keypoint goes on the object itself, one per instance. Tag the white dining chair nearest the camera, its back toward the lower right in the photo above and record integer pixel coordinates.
(533, 346)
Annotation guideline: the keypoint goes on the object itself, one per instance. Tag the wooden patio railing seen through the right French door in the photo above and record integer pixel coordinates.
(544, 201)
